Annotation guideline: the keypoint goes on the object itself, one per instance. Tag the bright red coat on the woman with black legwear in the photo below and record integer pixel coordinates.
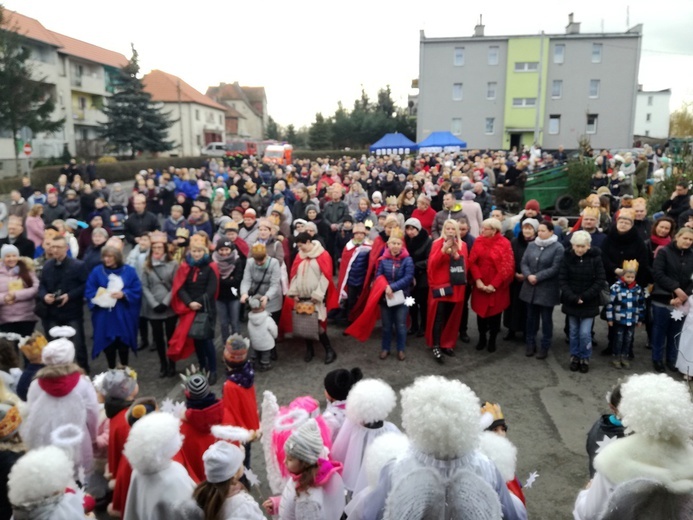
(492, 261)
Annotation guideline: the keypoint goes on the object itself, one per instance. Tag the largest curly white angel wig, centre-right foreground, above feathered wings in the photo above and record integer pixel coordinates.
(441, 417)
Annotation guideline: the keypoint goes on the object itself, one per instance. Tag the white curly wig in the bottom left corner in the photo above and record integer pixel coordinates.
(40, 474)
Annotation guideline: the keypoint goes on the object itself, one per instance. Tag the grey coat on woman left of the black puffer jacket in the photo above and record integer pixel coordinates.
(544, 263)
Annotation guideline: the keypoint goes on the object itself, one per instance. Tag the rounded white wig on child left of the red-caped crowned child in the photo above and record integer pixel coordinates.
(152, 442)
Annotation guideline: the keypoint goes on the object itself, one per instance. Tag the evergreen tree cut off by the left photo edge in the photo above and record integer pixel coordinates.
(25, 100)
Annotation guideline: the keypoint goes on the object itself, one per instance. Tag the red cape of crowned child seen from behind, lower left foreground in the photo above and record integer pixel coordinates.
(197, 437)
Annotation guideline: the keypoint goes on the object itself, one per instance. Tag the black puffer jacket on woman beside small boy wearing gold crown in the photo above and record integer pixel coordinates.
(581, 278)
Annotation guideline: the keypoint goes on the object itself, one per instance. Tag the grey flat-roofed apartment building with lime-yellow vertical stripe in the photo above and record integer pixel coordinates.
(504, 91)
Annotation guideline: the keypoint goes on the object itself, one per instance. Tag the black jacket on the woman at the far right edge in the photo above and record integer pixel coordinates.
(672, 269)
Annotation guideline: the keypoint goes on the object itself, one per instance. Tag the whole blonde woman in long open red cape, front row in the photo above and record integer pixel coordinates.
(446, 301)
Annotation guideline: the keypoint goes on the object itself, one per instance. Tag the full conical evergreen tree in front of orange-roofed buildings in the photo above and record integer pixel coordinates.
(134, 123)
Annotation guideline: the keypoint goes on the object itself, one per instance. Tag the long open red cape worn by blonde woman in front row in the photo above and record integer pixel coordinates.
(438, 272)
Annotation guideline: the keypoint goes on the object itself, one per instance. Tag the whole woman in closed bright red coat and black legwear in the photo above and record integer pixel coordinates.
(492, 267)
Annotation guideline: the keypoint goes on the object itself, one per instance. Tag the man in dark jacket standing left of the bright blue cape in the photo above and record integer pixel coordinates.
(62, 291)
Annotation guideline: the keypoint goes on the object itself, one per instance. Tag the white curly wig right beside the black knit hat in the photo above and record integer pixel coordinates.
(369, 401)
